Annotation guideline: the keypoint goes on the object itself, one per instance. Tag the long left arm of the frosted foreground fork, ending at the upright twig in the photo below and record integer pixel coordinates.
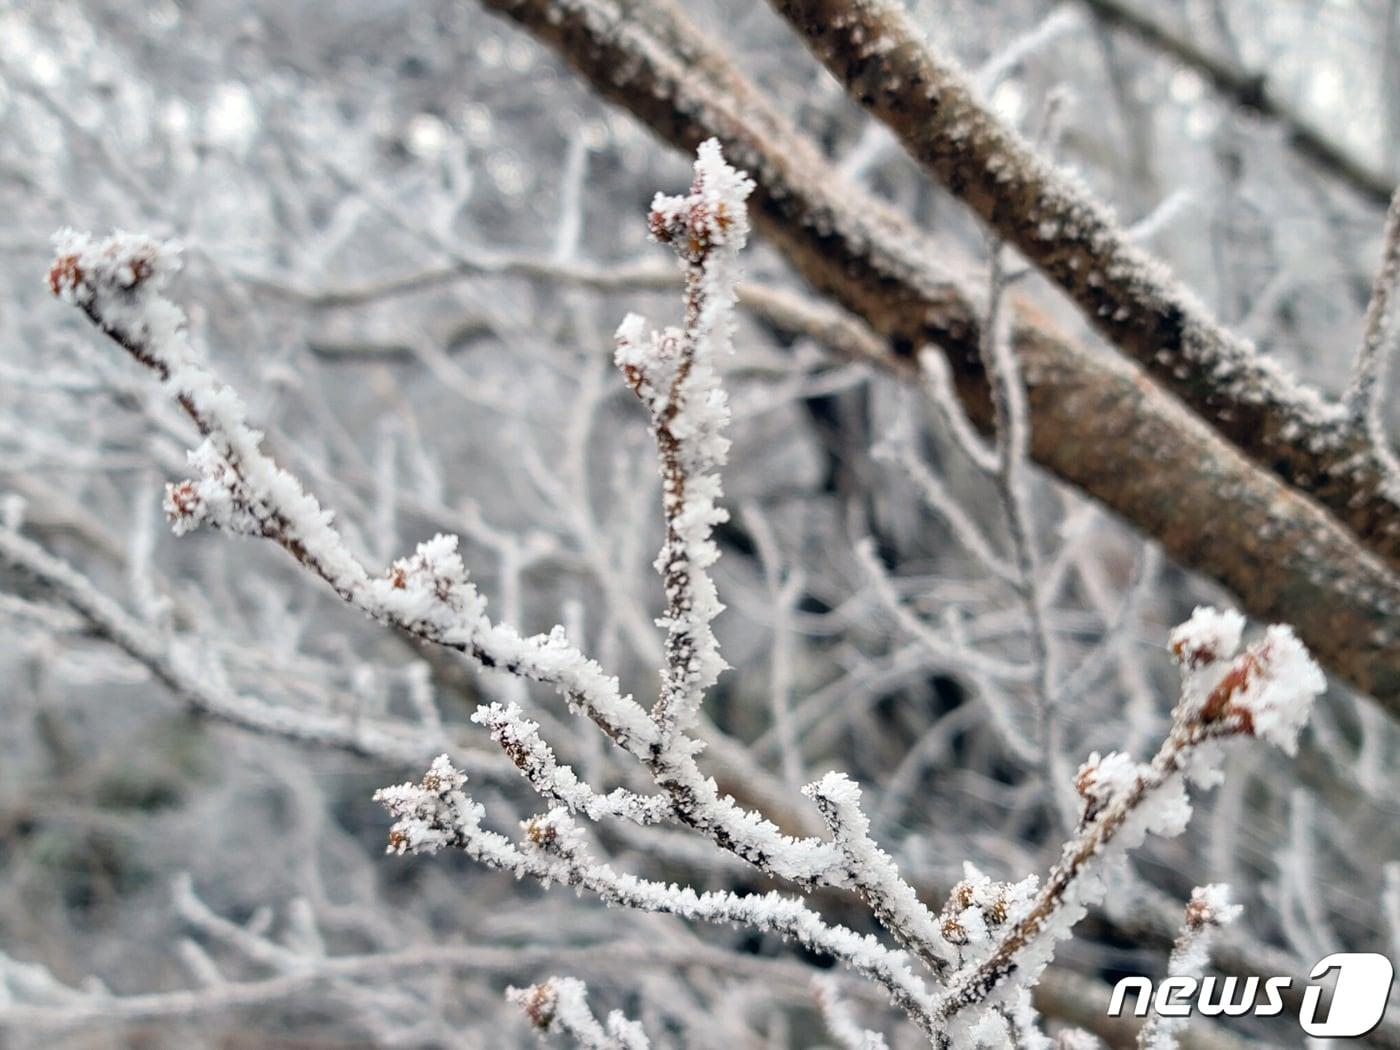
(117, 283)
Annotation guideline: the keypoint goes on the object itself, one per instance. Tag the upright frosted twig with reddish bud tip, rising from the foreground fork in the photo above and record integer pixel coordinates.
(674, 373)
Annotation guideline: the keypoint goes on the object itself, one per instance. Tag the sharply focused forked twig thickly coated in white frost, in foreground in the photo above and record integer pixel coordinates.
(989, 944)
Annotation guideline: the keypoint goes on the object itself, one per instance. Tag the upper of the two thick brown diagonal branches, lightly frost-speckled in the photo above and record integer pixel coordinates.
(885, 64)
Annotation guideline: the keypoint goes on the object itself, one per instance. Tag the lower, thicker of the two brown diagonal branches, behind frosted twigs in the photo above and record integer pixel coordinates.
(1095, 422)
